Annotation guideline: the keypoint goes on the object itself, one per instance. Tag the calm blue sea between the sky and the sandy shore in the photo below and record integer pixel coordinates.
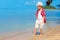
(12, 20)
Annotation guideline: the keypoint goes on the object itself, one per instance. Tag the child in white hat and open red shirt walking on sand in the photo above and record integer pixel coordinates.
(40, 18)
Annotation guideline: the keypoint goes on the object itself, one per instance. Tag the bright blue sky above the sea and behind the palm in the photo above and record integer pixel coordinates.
(22, 3)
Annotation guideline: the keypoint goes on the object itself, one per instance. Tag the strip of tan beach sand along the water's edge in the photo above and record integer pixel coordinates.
(52, 33)
